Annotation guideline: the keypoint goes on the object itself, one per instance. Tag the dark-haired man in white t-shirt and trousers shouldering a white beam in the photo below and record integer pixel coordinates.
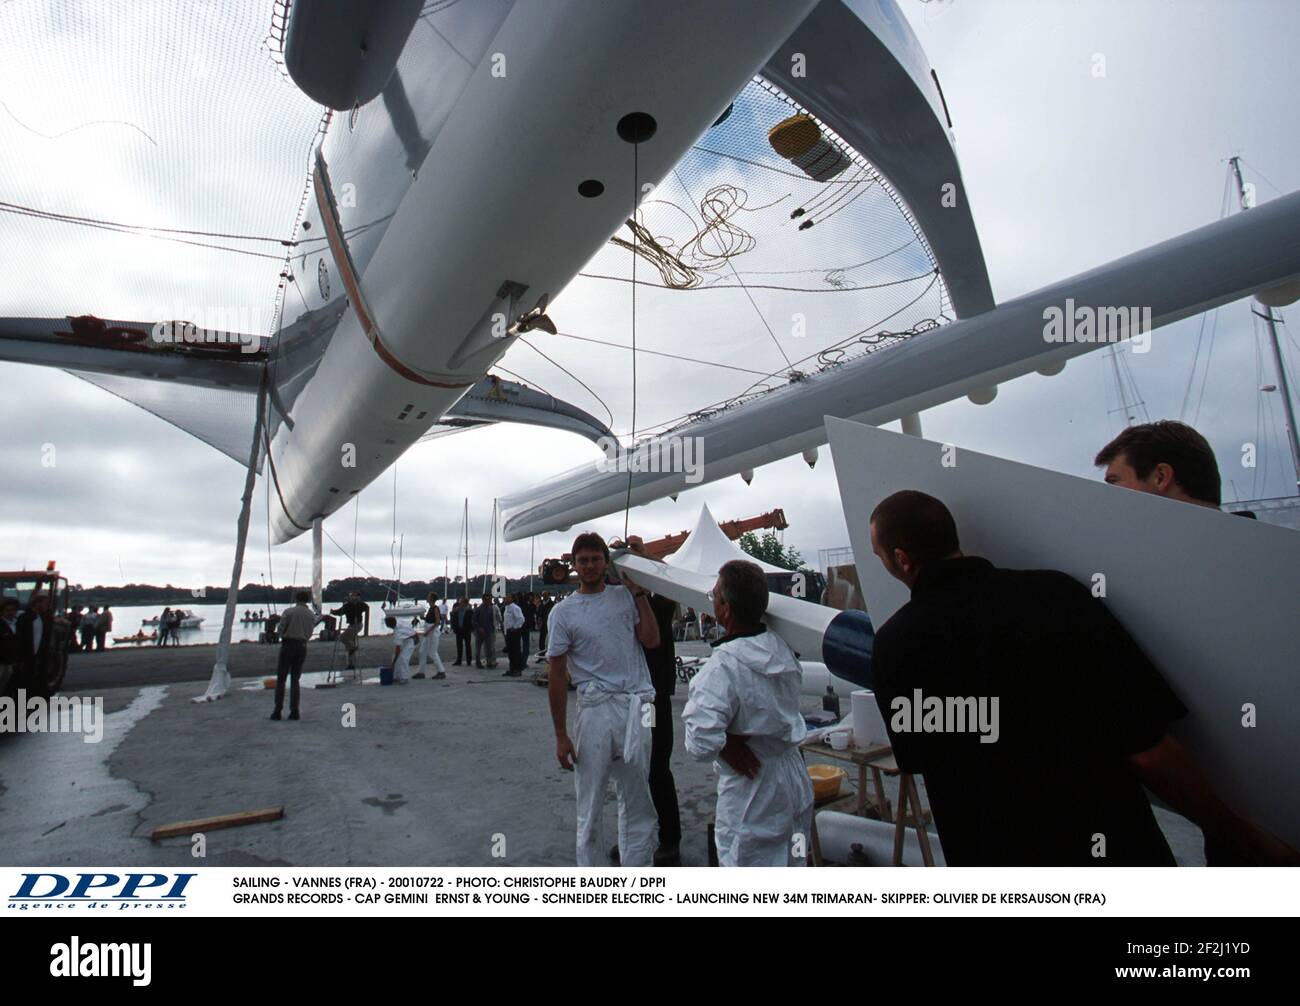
(597, 639)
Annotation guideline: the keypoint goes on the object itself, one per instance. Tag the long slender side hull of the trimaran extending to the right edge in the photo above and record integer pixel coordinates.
(1197, 272)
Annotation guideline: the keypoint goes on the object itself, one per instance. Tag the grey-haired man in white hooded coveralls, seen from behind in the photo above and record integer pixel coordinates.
(744, 713)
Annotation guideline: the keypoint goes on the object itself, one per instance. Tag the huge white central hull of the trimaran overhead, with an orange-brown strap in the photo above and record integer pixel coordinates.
(492, 224)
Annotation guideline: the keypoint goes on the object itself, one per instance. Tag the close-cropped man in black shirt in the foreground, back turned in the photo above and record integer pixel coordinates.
(1078, 721)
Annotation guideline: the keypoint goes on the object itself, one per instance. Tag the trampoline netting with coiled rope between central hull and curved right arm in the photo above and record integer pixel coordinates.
(749, 272)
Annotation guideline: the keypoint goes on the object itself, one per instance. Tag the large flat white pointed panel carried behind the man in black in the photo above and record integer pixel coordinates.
(1212, 599)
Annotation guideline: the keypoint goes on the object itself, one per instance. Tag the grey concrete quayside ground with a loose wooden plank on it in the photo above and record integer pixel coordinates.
(457, 773)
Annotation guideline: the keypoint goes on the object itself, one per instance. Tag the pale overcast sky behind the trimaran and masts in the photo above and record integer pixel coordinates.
(1065, 171)
